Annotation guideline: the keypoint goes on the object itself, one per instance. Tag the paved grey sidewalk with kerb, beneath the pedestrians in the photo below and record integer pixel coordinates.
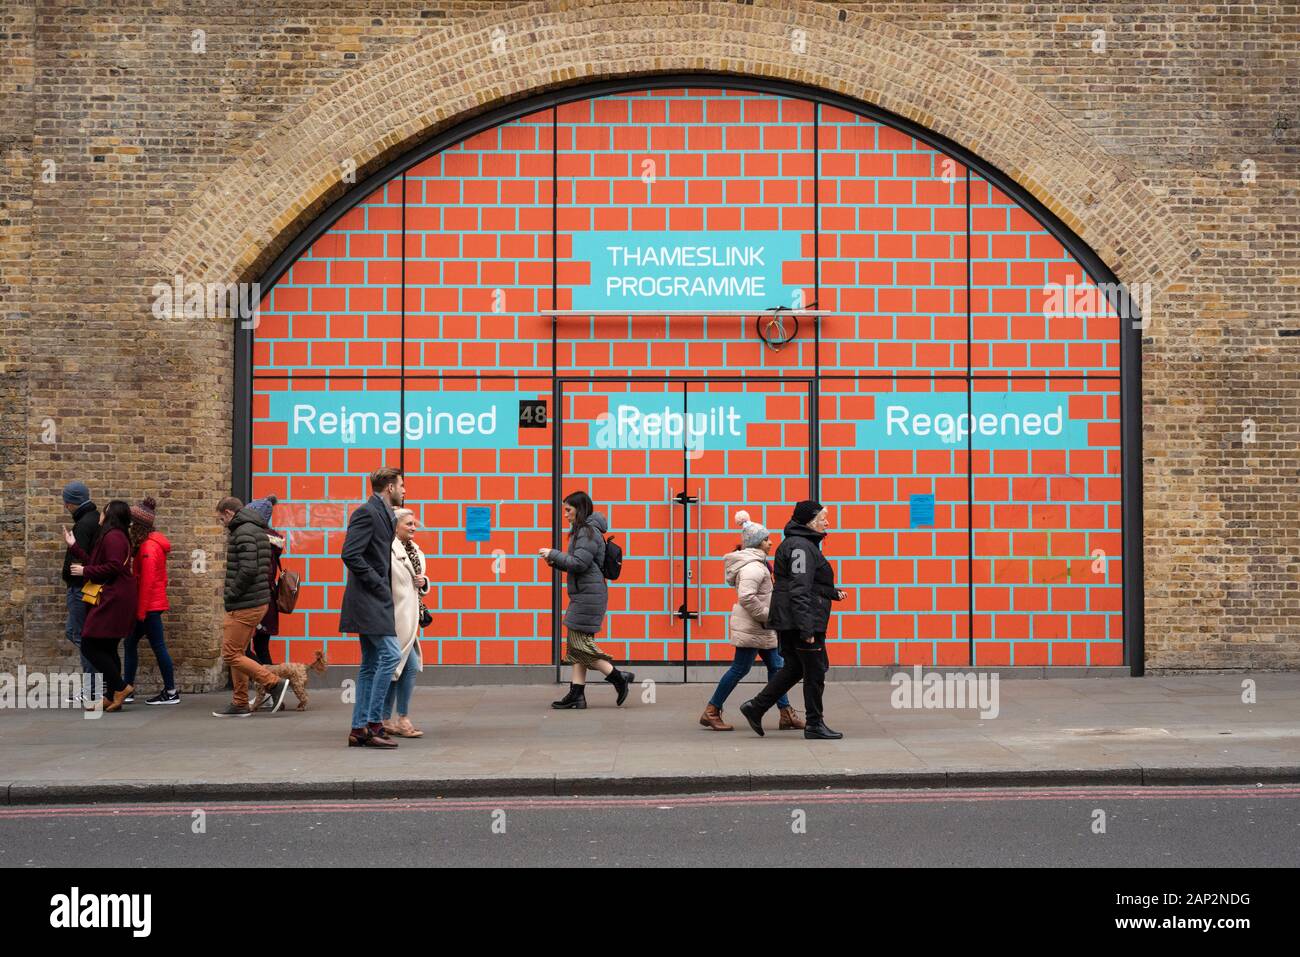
(506, 742)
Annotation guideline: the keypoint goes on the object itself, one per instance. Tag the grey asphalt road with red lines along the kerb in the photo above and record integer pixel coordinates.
(1176, 828)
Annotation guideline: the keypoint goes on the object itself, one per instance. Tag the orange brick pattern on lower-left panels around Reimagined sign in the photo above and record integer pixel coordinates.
(491, 601)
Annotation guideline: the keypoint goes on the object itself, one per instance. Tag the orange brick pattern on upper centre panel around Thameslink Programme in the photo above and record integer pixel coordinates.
(717, 161)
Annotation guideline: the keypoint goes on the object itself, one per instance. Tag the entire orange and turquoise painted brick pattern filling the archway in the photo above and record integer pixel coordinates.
(478, 228)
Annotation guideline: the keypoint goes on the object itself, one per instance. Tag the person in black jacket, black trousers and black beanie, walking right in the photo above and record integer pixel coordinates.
(801, 610)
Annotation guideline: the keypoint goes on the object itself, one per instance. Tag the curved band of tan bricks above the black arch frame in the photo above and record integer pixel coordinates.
(385, 109)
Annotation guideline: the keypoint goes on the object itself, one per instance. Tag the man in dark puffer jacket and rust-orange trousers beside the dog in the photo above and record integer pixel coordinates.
(248, 595)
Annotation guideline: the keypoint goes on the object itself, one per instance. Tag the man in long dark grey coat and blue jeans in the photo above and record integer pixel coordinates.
(367, 609)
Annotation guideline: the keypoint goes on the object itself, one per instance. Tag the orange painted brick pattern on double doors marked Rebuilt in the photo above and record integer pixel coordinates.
(673, 560)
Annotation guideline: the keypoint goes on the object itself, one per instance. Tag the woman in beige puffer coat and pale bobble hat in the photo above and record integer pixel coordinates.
(748, 571)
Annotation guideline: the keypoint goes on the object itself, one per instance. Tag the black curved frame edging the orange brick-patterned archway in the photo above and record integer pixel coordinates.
(1125, 305)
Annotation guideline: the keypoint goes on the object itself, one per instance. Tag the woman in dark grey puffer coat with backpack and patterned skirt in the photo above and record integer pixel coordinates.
(590, 599)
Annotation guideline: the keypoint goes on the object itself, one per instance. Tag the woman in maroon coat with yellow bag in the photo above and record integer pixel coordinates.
(112, 618)
